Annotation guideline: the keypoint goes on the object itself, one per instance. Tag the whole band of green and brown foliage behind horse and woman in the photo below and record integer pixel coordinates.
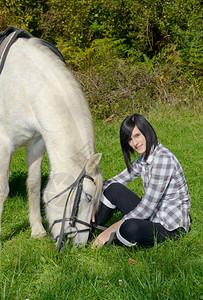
(127, 54)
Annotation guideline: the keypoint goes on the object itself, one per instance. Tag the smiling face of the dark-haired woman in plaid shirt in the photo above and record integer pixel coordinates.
(137, 141)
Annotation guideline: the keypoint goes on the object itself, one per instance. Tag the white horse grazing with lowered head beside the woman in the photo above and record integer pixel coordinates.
(43, 108)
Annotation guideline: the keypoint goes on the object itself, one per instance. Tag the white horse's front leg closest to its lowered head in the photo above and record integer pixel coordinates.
(35, 154)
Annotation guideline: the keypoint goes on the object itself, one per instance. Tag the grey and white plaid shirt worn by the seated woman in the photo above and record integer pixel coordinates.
(166, 199)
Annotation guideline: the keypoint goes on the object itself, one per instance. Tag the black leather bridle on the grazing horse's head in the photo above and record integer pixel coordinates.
(63, 238)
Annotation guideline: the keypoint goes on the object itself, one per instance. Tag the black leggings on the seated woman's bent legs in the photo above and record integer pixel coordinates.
(136, 231)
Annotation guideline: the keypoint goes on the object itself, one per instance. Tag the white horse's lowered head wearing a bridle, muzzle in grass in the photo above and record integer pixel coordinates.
(70, 202)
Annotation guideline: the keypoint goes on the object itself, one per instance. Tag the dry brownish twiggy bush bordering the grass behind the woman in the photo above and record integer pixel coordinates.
(116, 87)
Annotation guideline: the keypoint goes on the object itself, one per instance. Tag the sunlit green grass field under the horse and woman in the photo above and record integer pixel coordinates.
(30, 268)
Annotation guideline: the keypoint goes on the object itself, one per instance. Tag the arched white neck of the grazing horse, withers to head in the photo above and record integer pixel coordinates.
(61, 113)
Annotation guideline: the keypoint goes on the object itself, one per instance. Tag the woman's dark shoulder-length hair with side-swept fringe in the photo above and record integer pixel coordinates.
(145, 128)
